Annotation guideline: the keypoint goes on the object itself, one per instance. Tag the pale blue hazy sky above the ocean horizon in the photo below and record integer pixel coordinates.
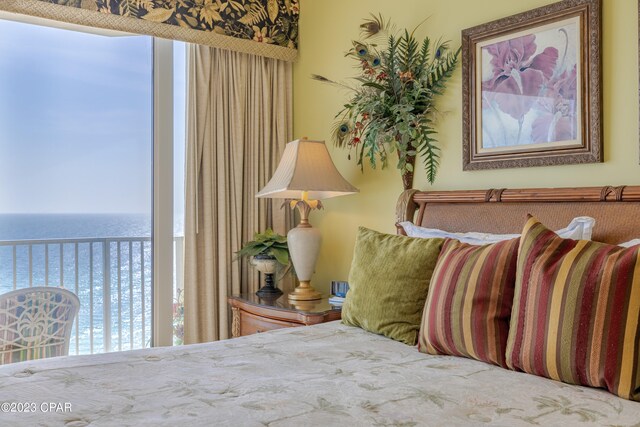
(76, 121)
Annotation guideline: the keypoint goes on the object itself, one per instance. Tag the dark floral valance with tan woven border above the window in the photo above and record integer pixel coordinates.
(260, 27)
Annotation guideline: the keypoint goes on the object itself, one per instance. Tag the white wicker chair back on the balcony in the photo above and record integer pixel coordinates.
(36, 323)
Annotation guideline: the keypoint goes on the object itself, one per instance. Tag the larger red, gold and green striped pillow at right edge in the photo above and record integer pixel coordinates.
(576, 312)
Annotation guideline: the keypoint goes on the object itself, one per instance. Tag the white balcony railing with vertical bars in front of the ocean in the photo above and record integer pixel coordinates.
(111, 276)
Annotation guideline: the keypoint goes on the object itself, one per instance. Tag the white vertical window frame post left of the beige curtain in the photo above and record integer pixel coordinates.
(162, 193)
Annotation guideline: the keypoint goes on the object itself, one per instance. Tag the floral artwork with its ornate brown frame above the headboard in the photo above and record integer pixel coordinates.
(531, 88)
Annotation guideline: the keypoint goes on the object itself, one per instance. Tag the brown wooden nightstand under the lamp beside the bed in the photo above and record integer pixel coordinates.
(252, 314)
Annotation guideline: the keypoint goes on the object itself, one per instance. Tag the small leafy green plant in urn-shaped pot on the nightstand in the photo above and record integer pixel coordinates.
(266, 251)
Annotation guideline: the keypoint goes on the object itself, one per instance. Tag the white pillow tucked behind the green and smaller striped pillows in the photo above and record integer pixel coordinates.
(579, 228)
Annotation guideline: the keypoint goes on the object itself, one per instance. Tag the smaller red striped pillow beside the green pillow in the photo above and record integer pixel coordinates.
(469, 303)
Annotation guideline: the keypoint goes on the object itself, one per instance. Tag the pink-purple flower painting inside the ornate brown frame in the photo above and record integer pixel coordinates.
(529, 89)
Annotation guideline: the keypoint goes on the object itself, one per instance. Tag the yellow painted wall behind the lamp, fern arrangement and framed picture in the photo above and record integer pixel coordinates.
(326, 29)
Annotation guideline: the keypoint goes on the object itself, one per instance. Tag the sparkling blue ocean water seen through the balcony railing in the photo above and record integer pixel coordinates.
(112, 246)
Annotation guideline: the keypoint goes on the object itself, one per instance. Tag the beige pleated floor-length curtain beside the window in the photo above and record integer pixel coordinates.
(239, 118)
